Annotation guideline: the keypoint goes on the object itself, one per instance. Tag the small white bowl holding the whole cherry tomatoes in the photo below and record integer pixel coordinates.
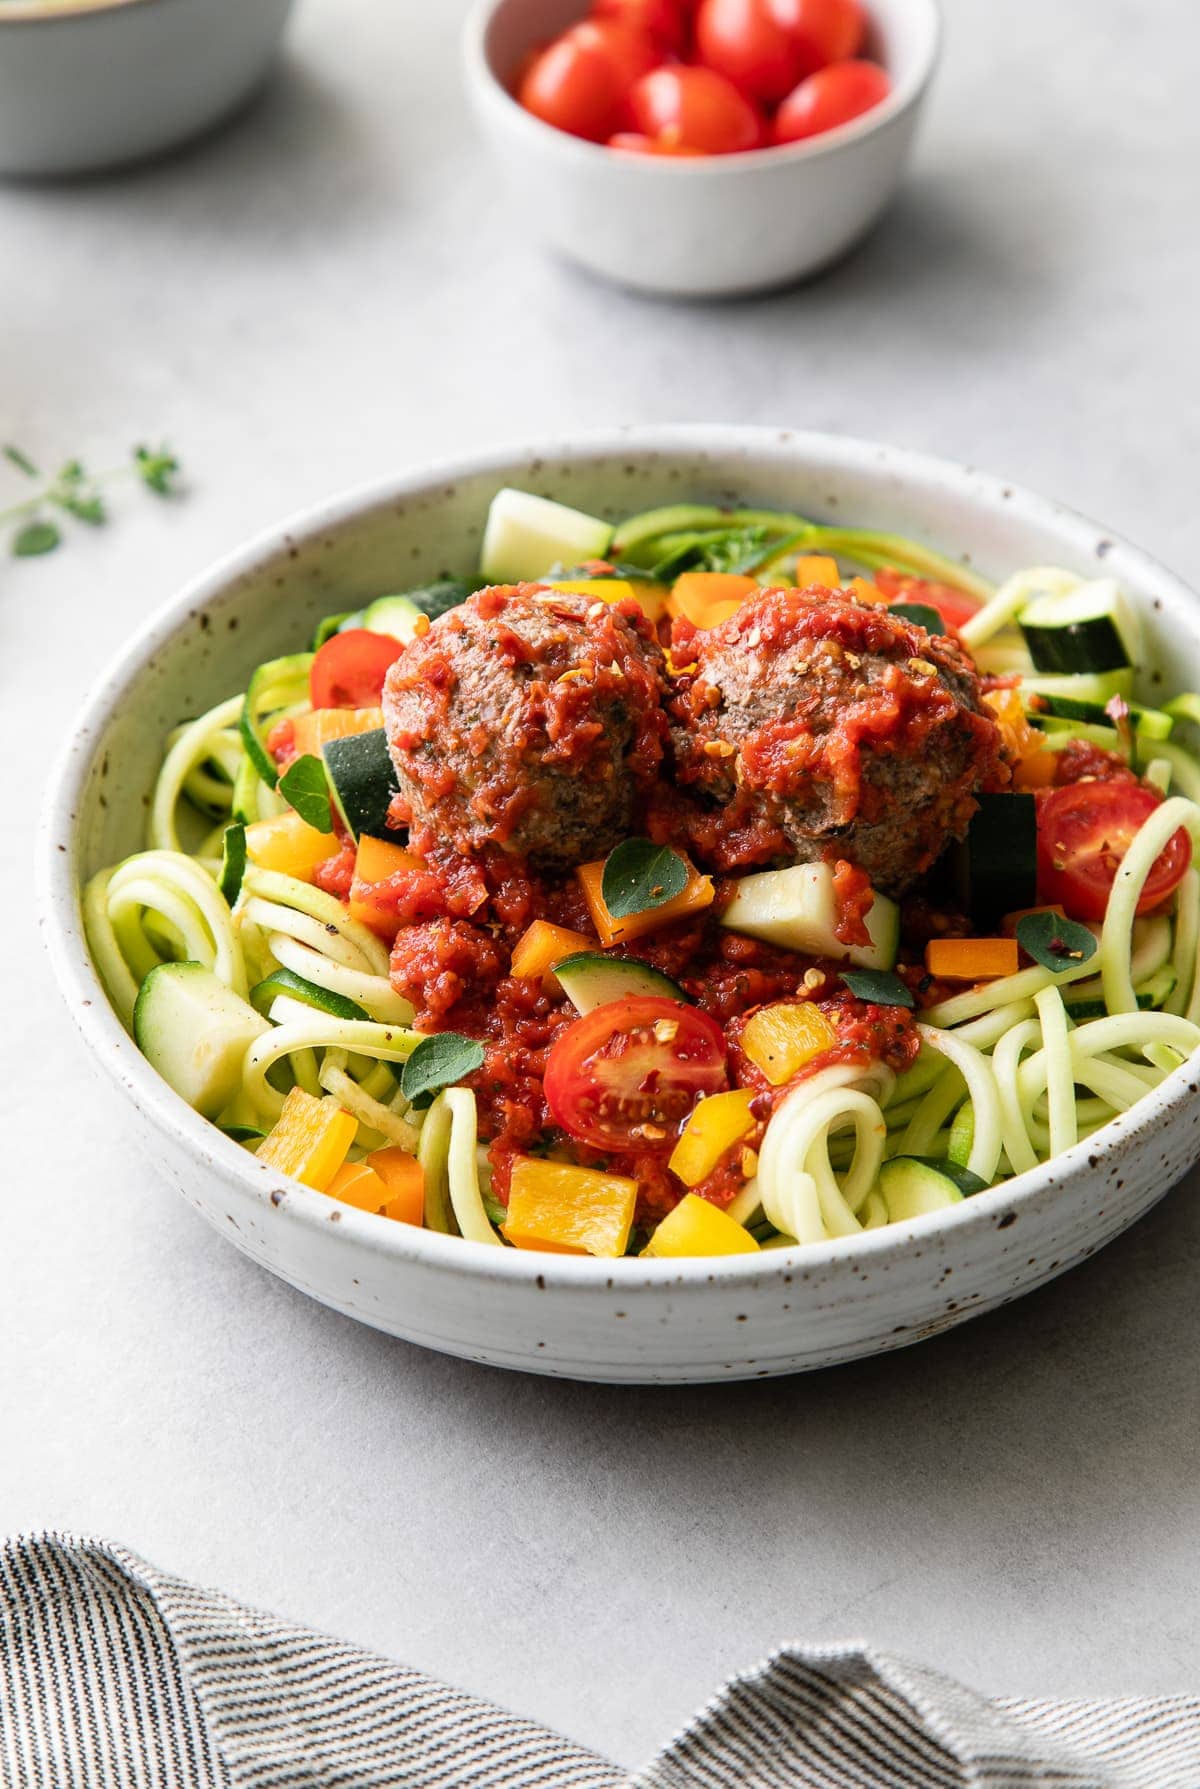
(711, 226)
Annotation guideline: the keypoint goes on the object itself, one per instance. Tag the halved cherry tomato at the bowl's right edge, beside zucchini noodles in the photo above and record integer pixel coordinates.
(1083, 836)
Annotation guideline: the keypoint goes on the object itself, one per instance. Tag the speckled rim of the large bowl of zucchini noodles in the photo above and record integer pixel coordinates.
(58, 886)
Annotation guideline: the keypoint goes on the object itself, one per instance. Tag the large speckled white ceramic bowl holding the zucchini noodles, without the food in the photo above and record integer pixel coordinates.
(616, 1321)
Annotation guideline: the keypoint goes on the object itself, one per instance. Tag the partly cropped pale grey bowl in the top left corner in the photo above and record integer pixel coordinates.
(89, 85)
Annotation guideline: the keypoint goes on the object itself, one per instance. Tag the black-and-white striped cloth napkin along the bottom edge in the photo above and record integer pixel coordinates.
(115, 1675)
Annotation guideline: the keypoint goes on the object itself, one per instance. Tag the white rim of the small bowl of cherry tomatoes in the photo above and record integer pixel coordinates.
(902, 99)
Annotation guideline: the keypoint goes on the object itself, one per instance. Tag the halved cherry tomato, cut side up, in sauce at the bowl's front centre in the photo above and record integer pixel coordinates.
(629, 1074)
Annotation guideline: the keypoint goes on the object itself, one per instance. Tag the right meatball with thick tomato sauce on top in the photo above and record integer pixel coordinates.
(831, 729)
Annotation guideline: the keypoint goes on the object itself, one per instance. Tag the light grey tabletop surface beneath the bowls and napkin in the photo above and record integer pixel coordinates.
(334, 291)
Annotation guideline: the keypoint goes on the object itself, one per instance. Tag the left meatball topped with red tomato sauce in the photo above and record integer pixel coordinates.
(527, 720)
